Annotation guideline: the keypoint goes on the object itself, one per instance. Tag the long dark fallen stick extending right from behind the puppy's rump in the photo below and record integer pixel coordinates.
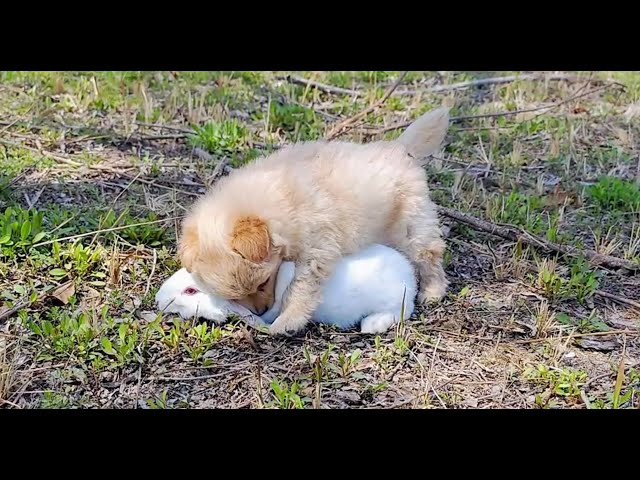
(516, 234)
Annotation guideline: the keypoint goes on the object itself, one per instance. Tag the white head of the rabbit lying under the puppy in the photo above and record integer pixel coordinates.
(181, 294)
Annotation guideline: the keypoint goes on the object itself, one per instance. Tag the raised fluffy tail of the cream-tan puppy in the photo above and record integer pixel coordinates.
(425, 135)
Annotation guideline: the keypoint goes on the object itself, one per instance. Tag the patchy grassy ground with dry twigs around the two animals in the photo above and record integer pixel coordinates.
(97, 167)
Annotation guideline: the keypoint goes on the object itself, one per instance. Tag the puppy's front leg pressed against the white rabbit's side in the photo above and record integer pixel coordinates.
(302, 298)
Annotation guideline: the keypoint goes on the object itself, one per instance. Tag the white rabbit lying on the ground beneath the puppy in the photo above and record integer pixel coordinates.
(368, 288)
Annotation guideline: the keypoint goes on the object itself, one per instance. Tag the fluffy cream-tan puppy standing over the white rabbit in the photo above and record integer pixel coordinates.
(313, 203)
